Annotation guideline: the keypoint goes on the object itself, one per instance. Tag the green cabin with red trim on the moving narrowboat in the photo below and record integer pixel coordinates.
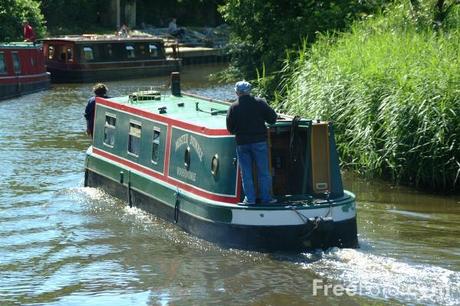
(182, 140)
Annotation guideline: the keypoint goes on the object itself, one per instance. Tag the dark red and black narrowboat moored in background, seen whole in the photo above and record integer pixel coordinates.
(92, 58)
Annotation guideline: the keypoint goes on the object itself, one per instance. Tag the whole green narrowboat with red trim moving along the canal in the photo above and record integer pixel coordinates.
(171, 155)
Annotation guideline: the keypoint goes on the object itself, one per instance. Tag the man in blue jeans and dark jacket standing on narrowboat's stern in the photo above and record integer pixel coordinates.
(246, 119)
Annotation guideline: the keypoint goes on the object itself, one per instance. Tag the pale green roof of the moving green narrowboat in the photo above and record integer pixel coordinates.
(190, 109)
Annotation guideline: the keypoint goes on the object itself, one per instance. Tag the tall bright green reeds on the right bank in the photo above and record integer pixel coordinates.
(394, 95)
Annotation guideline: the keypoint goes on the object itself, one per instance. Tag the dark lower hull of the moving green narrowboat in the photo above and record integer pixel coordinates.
(225, 229)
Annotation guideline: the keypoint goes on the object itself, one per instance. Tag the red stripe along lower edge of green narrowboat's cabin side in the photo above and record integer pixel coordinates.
(174, 182)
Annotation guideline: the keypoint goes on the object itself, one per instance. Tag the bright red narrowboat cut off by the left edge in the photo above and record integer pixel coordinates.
(22, 69)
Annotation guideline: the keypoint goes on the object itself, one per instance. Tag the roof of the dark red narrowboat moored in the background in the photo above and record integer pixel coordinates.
(85, 38)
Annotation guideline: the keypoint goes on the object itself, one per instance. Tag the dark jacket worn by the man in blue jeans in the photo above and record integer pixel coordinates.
(246, 119)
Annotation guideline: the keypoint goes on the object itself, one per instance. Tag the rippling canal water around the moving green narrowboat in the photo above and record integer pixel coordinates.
(64, 244)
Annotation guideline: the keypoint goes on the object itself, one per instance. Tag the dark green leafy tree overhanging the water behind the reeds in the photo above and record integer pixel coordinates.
(263, 29)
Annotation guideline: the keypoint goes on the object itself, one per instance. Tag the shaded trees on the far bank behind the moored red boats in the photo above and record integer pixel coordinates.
(86, 16)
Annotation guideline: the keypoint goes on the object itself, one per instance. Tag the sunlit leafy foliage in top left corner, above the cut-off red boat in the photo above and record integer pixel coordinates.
(13, 12)
